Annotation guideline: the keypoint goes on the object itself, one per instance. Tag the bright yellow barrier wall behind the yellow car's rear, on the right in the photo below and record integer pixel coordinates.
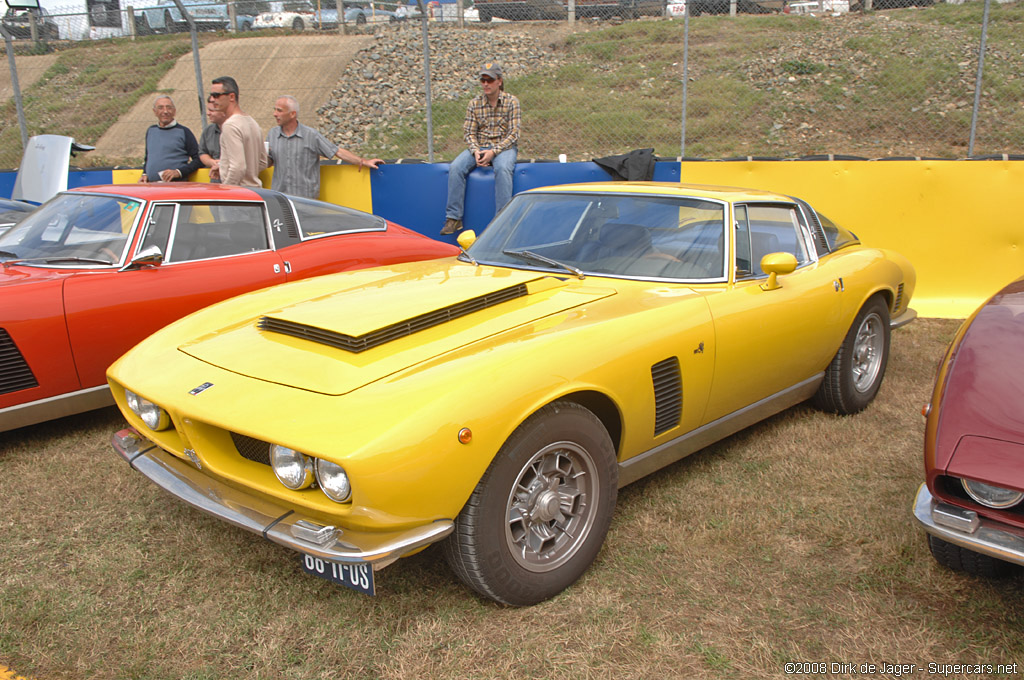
(956, 221)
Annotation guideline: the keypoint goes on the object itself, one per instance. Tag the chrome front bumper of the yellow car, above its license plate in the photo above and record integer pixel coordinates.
(273, 522)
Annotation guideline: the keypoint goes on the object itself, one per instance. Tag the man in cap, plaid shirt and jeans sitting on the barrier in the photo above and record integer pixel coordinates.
(492, 133)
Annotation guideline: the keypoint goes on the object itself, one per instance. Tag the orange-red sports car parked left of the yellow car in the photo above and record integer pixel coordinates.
(95, 271)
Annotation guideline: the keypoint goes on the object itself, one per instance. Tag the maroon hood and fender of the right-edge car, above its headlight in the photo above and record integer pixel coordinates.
(983, 406)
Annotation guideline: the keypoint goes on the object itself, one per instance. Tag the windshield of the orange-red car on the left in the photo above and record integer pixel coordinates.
(73, 230)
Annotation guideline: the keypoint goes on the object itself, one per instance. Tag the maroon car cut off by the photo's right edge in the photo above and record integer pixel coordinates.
(971, 502)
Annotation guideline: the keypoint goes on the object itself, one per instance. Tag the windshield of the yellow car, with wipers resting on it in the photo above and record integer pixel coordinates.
(610, 235)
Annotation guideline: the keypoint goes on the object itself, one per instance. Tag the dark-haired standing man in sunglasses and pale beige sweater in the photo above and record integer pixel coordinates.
(243, 154)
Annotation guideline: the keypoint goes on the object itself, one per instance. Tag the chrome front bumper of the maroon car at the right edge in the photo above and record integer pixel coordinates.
(966, 529)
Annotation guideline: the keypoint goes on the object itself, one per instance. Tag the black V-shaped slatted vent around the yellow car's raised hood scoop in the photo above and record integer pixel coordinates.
(396, 331)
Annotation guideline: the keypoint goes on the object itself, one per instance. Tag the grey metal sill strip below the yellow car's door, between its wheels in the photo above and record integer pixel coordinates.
(648, 462)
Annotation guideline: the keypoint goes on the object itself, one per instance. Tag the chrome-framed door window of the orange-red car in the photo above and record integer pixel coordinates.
(204, 232)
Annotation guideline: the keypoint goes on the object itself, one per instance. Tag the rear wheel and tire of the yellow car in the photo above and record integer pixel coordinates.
(856, 374)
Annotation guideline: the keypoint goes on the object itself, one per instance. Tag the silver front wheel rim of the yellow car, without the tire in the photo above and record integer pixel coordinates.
(552, 507)
